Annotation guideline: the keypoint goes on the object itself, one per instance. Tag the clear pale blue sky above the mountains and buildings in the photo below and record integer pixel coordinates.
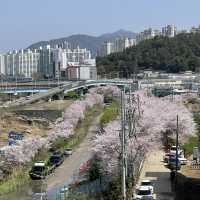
(24, 22)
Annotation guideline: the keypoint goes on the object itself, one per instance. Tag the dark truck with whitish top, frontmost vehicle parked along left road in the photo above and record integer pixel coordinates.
(40, 170)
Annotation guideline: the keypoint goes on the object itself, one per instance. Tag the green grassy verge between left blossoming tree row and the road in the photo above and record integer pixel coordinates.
(20, 176)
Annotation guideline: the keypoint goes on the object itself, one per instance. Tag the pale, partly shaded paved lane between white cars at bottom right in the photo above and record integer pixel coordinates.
(155, 170)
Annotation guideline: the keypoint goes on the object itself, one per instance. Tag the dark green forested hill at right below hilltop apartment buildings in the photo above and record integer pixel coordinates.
(176, 54)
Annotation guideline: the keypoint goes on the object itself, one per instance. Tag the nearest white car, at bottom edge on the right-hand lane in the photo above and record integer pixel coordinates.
(144, 192)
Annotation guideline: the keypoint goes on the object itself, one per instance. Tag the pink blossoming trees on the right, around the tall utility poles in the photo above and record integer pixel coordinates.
(153, 117)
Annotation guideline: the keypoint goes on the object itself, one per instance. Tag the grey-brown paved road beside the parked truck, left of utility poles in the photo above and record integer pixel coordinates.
(65, 174)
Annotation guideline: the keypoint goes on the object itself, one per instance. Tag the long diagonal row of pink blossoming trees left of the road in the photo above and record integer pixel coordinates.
(26, 149)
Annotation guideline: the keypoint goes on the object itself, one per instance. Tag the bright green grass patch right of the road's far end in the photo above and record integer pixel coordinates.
(110, 113)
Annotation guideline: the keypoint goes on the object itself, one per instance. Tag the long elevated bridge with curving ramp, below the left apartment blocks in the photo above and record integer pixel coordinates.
(60, 91)
